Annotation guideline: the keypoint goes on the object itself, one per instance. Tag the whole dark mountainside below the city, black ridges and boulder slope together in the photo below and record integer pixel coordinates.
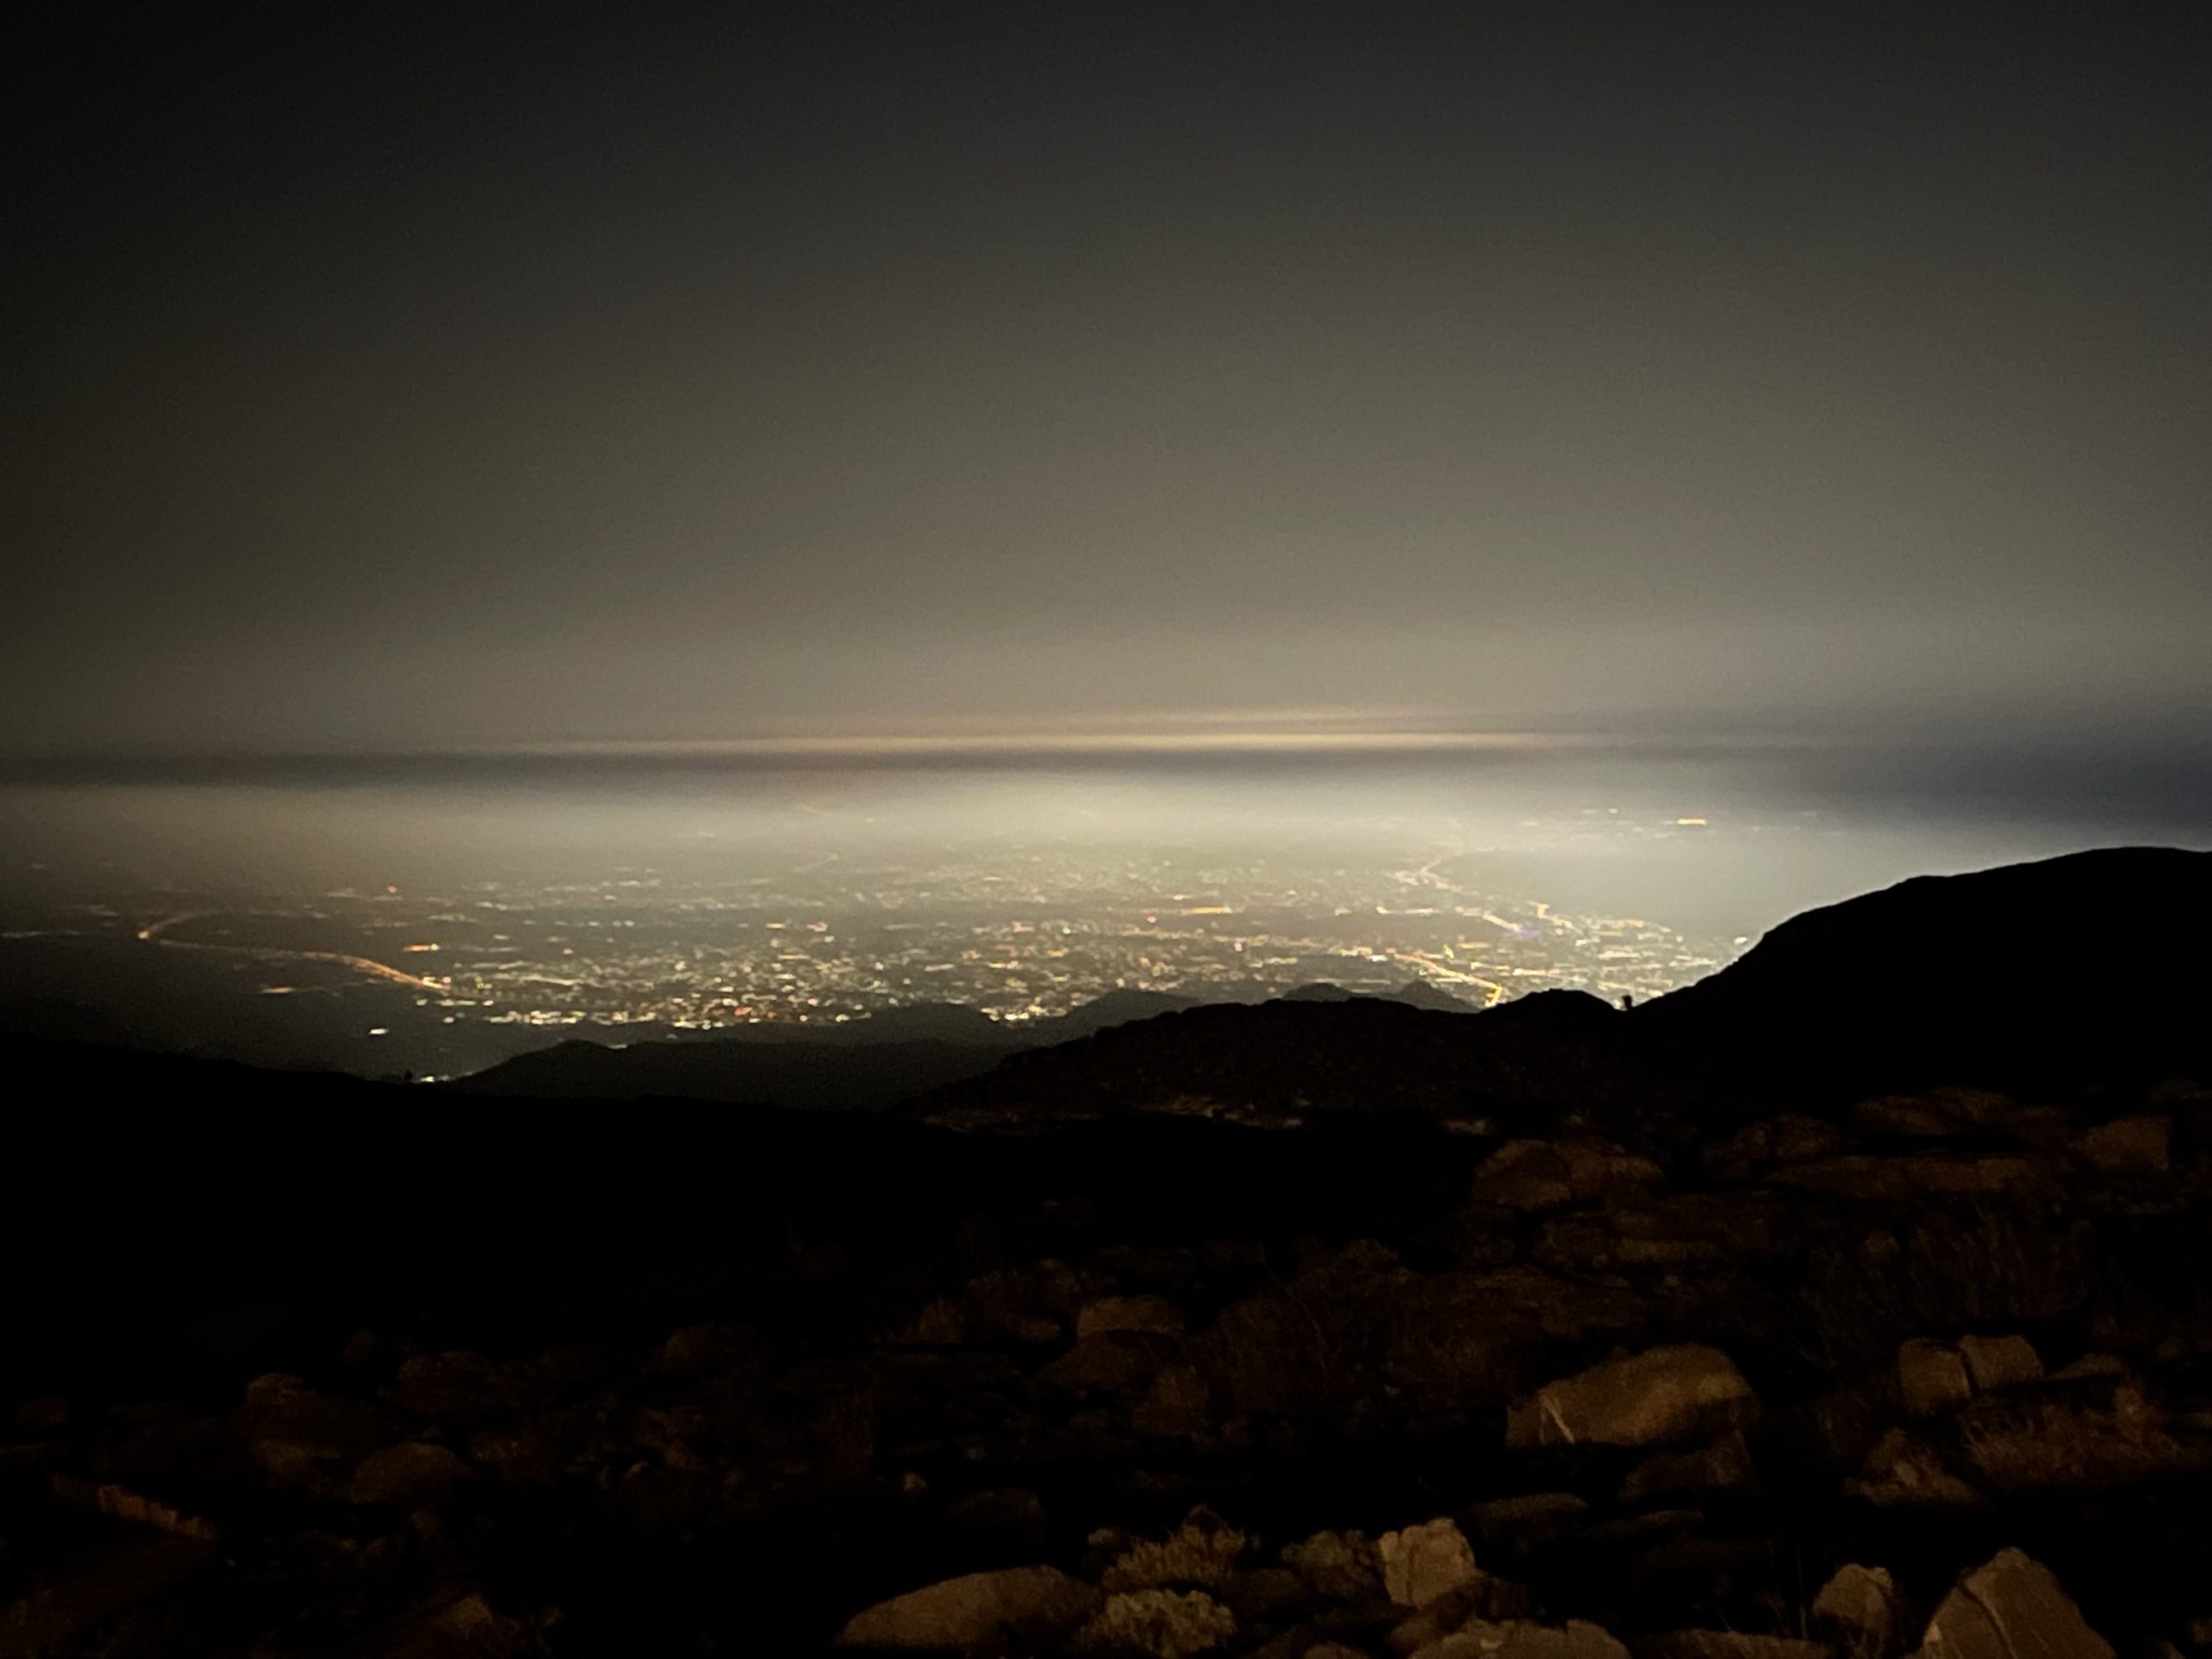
(1884, 1249)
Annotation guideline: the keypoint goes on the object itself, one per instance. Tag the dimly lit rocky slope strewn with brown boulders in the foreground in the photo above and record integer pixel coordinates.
(1926, 1377)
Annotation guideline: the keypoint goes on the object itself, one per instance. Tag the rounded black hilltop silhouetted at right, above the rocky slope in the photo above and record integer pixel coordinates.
(2096, 966)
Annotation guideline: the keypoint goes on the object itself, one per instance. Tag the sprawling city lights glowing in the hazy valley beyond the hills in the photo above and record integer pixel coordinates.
(1012, 932)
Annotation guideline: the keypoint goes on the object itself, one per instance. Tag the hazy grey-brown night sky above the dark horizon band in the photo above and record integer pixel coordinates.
(390, 379)
